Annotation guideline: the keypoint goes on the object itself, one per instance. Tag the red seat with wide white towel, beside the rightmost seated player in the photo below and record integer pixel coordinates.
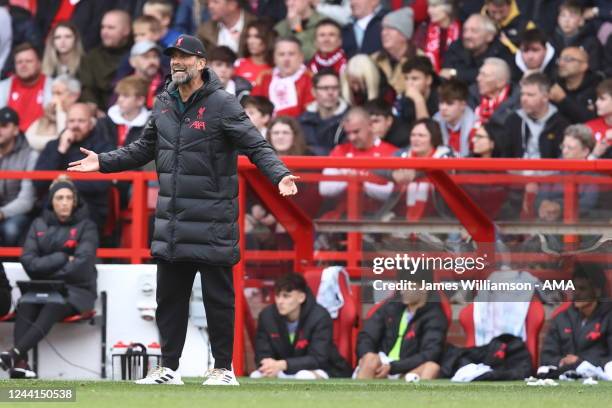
(533, 325)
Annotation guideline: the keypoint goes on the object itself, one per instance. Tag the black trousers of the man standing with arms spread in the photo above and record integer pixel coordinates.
(174, 284)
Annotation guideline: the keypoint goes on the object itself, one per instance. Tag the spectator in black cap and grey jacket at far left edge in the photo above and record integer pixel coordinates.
(16, 195)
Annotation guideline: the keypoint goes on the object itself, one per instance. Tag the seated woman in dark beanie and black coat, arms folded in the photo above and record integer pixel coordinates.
(61, 245)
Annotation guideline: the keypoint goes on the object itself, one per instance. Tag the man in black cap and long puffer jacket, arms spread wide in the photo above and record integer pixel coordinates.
(194, 135)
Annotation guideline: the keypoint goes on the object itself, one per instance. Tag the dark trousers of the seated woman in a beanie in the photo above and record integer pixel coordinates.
(33, 323)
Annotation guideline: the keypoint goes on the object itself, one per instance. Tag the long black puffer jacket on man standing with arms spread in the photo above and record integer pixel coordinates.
(196, 156)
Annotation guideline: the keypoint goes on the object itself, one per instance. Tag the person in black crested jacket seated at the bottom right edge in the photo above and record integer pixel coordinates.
(589, 315)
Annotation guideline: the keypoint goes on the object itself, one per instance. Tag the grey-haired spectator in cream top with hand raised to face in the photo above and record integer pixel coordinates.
(65, 92)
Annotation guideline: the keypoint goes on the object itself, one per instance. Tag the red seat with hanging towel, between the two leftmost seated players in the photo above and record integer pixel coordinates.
(347, 317)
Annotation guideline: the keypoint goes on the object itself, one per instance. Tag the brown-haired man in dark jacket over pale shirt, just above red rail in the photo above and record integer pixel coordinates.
(536, 129)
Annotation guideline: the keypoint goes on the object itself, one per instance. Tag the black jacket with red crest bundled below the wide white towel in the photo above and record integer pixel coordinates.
(505, 354)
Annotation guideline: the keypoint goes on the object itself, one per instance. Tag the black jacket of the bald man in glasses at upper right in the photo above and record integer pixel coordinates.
(579, 104)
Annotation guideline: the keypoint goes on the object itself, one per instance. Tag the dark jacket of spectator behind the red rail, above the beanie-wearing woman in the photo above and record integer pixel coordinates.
(94, 193)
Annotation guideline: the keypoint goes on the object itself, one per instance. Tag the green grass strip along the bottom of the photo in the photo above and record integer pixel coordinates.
(323, 394)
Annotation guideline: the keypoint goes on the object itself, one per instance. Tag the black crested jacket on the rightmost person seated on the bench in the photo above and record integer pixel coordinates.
(591, 341)
